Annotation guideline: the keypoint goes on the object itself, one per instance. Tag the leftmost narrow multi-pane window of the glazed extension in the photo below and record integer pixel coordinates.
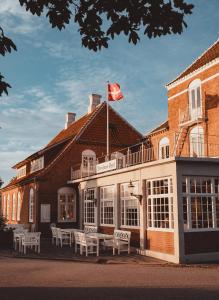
(89, 206)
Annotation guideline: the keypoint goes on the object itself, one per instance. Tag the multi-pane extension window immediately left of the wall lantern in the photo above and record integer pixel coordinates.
(130, 207)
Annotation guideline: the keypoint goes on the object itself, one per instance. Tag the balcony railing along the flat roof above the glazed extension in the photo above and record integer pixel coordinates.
(139, 154)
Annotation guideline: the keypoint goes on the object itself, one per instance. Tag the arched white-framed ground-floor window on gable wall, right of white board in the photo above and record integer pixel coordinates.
(67, 192)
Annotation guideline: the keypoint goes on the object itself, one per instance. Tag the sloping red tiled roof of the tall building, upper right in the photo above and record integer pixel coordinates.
(209, 55)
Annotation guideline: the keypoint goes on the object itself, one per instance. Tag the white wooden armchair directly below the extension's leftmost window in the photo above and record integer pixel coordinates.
(88, 244)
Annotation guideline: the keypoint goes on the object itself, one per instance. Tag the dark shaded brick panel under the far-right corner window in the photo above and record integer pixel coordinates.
(201, 242)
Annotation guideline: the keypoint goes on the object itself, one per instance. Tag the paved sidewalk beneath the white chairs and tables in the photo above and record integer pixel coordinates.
(52, 252)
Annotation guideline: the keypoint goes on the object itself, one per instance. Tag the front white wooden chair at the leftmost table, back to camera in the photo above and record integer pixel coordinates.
(30, 240)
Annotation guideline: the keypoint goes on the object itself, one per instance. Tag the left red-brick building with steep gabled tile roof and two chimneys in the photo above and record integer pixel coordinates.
(39, 194)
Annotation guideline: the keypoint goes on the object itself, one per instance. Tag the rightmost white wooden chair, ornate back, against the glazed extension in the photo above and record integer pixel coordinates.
(121, 241)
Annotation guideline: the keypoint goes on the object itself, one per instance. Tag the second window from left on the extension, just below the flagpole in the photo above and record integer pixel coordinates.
(107, 205)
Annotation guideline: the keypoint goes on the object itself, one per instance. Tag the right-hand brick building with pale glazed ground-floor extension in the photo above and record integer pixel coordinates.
(173, 213)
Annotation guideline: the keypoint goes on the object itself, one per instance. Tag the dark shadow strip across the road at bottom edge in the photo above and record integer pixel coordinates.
(100, 293)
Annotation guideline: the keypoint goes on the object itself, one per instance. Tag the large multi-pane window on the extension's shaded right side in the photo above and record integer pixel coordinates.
(200, 203)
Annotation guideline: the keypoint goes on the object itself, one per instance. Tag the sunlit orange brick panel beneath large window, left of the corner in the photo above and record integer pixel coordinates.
(160, 241)
